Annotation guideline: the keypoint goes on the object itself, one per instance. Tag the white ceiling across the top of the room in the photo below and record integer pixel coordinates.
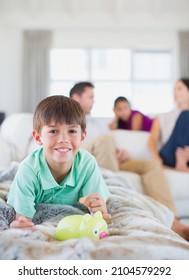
(95, 12)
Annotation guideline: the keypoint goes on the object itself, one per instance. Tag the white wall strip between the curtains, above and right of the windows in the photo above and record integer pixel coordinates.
(137, 39)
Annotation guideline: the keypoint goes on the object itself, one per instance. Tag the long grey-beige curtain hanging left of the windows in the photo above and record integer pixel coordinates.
(36, 48)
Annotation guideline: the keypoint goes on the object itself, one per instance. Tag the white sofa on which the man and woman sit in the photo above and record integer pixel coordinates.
(16, 142)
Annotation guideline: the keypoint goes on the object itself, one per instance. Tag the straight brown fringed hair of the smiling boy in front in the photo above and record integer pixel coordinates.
(58, 109)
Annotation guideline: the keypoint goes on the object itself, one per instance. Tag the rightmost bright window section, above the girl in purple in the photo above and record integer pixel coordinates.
(152, 81)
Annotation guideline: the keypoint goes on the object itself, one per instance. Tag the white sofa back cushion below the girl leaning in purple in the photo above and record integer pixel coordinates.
(135, 142)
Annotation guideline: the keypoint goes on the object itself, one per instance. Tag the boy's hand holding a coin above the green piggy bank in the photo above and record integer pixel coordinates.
(95, 203)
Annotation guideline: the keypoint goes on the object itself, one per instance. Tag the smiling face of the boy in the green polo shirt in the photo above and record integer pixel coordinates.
(60, 142)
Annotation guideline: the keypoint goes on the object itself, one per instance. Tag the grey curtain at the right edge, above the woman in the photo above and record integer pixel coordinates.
(184, 53)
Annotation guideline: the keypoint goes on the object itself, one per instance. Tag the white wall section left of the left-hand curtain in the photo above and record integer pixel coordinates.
(10, 70)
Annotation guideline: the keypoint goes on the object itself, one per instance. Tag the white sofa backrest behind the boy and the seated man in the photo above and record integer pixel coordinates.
(17, 142)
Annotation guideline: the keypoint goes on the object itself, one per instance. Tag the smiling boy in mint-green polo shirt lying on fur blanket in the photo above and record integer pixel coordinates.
(58, 172)
